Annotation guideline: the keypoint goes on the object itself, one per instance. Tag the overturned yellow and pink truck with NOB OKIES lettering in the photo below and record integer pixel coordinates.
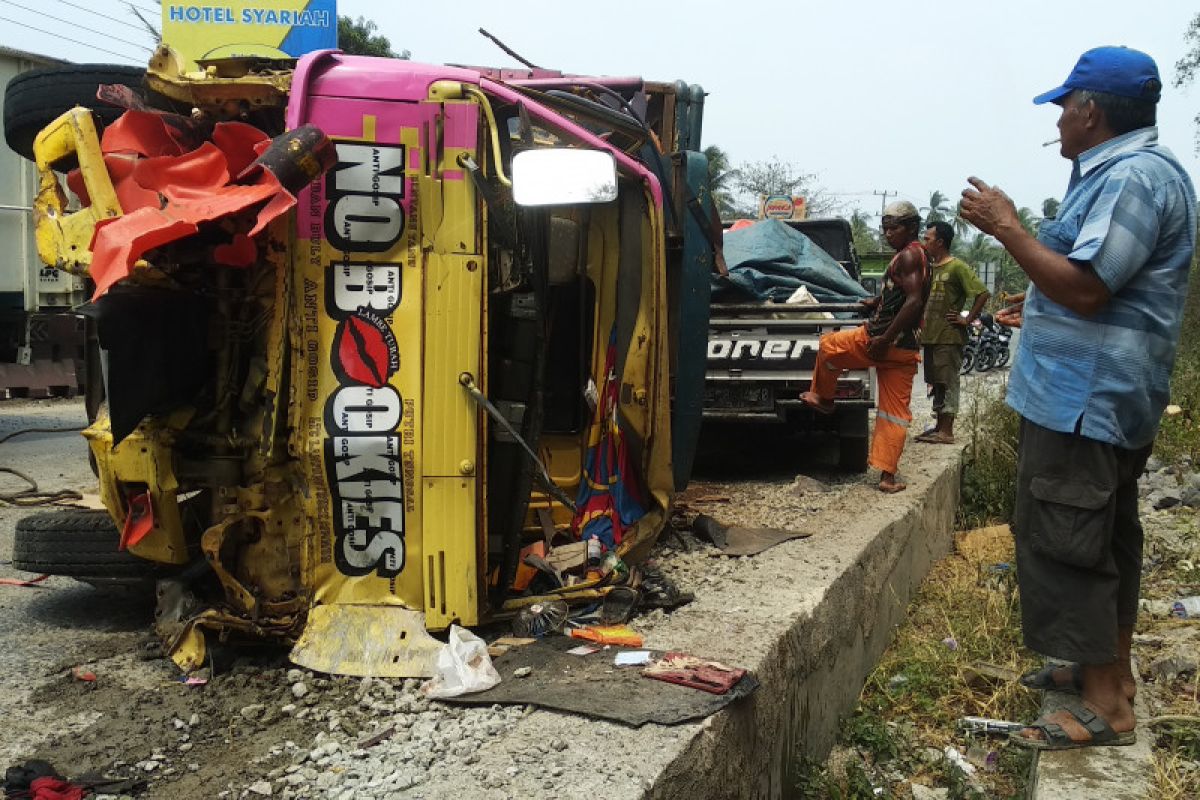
(367, 334)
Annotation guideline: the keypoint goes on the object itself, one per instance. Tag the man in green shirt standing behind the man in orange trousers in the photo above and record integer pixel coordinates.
(952, 286)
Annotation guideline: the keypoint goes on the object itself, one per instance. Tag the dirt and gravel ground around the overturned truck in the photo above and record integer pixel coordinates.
(250, 731)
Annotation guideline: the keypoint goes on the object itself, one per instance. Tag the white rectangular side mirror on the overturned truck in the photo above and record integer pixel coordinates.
(563, 177)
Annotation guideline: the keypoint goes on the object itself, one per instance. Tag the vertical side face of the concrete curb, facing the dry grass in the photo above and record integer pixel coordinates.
(821, 654)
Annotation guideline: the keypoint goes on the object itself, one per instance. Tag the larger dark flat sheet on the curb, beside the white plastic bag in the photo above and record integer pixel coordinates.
(591, 685)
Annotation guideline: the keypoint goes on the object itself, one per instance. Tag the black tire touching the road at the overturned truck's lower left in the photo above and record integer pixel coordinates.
(79, 545)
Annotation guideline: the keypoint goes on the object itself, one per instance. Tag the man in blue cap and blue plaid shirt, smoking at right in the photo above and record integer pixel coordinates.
(1101, 328)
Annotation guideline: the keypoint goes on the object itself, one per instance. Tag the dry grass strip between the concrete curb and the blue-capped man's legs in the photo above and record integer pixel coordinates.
(965, 613)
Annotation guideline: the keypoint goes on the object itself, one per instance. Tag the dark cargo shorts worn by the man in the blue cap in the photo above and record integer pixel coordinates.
(1078, 543)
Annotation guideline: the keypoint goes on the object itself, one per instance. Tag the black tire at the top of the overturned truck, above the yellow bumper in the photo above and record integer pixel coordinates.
(37, 98)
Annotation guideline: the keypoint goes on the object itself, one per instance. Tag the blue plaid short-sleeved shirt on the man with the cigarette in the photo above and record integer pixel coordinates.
(1131, 213)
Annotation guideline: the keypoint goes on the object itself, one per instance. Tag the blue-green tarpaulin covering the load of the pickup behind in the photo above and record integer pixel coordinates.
(770, 261)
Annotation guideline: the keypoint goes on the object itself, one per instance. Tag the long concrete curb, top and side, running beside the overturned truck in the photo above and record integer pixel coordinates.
(809, 617)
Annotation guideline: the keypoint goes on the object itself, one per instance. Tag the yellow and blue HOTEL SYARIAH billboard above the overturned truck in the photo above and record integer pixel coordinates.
(273, 29)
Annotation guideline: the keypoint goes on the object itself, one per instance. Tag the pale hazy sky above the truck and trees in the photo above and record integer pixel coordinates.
(871, 97)
